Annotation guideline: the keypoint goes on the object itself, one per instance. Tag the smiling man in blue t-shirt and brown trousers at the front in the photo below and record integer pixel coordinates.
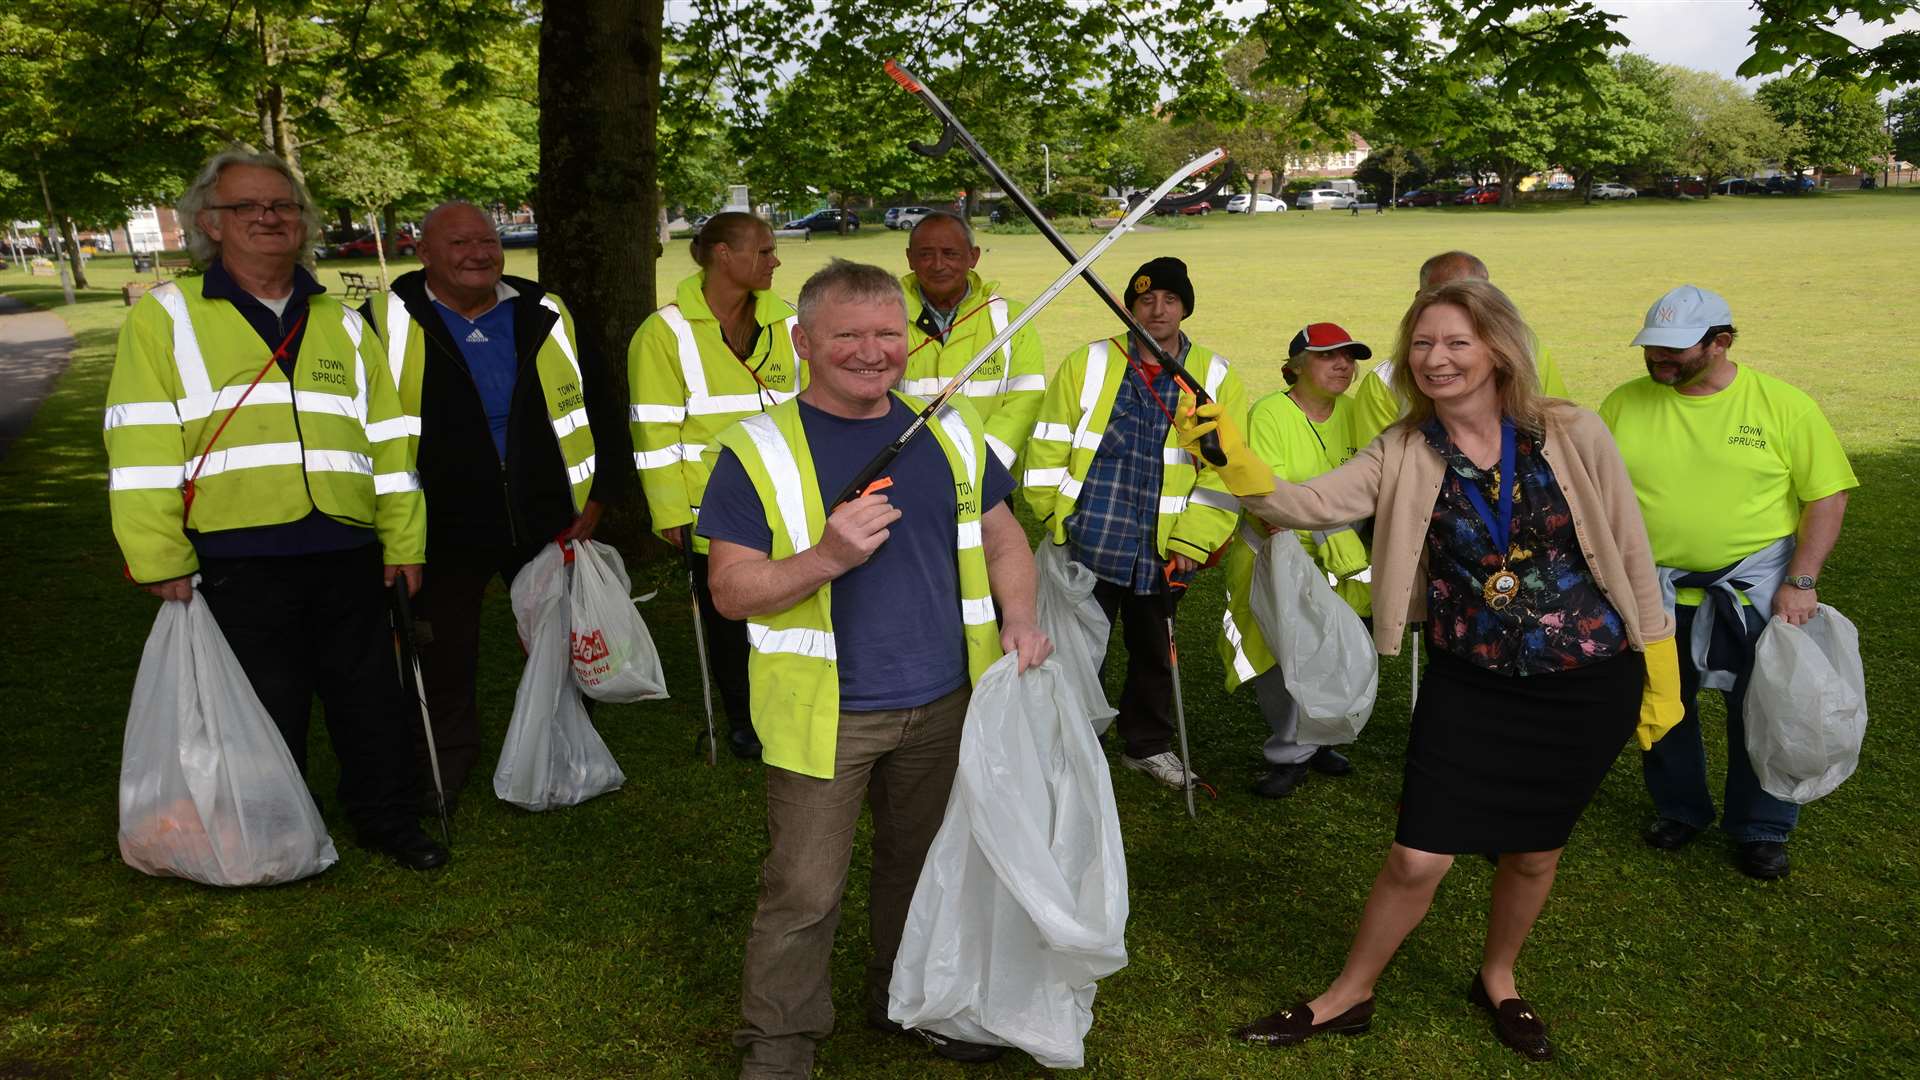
(898, 647)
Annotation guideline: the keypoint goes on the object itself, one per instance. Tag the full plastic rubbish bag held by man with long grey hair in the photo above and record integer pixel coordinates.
(208, 787)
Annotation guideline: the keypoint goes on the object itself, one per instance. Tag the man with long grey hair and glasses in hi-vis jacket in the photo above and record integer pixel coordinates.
(297, 514)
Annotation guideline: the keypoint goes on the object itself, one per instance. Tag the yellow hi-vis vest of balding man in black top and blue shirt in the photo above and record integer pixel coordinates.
(560, 381)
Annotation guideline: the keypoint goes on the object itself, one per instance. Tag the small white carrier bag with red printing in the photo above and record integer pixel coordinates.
(613, 652)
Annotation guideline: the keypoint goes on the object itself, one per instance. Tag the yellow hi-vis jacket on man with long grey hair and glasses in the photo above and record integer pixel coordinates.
(327, 439)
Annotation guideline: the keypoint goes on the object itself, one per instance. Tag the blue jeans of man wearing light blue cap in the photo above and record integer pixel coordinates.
(1677, 766)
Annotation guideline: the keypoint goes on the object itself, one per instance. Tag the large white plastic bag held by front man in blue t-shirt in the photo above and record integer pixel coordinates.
(1022, 902)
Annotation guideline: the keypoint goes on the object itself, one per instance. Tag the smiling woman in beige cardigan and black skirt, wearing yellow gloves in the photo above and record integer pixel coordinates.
(1508, 518)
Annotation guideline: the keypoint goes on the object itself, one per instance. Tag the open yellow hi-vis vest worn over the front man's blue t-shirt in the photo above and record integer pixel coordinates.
(794, 664)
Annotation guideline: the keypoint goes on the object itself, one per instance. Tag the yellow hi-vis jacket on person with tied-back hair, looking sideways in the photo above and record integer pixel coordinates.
(686, 387)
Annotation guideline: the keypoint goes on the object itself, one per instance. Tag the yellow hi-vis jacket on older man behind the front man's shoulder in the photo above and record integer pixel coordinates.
(1007, 389)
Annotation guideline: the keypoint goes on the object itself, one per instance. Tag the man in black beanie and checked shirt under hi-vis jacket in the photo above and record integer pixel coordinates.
(1107, 479)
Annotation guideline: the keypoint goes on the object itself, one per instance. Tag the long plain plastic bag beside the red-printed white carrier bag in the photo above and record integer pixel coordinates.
(552, 756)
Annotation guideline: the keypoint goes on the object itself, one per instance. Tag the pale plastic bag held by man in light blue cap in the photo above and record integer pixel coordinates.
(1806, 706)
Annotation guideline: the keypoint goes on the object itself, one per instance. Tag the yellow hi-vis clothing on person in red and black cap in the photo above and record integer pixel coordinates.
(1297, 451)
